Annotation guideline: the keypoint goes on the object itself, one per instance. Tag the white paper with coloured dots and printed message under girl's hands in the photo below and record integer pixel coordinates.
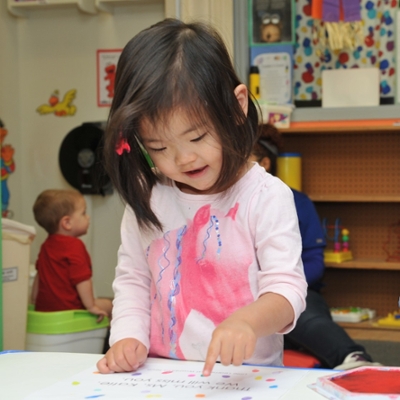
(172, 379)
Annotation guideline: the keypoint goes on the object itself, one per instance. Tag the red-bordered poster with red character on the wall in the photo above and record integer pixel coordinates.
(107, 61)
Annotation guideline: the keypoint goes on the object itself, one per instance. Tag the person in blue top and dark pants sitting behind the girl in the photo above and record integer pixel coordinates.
(315, 330)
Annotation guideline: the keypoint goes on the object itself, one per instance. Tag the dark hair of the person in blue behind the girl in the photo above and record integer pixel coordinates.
(269, 144)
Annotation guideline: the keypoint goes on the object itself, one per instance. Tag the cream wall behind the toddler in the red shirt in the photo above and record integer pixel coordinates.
(56, 49)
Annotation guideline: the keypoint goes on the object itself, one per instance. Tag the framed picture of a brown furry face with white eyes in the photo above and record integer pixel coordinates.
(271, 22)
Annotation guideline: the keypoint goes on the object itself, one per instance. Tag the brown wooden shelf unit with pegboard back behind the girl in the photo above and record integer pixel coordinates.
(353, 173)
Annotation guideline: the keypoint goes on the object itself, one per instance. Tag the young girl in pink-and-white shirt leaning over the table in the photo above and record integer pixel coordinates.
(209, 267)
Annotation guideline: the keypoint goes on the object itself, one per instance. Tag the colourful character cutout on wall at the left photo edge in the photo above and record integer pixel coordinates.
(7, 168)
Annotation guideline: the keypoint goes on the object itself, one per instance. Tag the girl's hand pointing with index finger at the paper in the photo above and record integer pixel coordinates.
(233, 340)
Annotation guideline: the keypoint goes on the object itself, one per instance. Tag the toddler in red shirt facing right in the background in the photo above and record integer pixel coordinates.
(64, 271)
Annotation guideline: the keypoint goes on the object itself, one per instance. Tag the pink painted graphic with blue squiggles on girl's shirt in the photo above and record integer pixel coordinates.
(202, 266)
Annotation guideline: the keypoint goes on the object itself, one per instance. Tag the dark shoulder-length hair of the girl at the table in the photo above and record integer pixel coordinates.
(168, 66)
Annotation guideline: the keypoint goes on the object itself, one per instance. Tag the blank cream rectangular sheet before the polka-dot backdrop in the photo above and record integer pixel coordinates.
(354, 87)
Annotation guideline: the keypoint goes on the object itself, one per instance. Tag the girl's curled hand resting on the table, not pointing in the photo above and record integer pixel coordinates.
(124, 356)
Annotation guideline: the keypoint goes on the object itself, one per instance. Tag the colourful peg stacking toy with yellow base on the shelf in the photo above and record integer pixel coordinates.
(341, 250)
